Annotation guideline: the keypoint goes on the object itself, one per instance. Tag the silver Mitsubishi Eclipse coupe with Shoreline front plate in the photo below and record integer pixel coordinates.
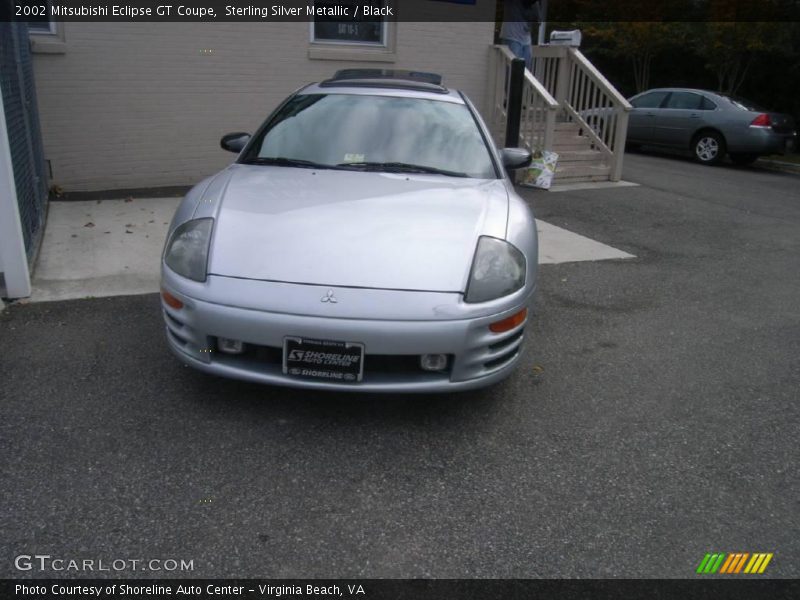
(367, 238)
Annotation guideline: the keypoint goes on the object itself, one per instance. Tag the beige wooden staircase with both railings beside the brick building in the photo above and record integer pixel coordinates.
(568, 108)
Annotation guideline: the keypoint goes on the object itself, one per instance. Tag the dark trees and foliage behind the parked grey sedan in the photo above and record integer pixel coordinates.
(758, 60)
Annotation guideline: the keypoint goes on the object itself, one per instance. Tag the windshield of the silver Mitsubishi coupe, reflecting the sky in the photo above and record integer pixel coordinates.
(377, 133)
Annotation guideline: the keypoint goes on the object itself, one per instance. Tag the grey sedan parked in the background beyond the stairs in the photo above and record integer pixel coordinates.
(708, 124)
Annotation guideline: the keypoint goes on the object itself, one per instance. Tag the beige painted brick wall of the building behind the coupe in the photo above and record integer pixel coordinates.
(142, 105)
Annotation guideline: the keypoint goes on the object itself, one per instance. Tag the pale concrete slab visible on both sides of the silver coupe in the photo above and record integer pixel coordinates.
(113, 248)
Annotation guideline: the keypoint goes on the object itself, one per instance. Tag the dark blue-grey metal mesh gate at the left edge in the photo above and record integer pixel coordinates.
(24, 134)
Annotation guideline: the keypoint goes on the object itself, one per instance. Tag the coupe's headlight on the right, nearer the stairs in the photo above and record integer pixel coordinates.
(498, 269)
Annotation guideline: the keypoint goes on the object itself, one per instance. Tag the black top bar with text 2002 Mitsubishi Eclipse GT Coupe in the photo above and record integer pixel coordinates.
(564, 11)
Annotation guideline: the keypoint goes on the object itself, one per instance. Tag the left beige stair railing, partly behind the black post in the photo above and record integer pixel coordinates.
(539, 108)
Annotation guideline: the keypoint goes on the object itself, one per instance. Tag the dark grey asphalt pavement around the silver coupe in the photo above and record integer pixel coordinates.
(654, 418)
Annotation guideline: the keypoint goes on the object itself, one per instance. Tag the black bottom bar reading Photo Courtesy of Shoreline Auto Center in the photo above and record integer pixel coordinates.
(711, 588)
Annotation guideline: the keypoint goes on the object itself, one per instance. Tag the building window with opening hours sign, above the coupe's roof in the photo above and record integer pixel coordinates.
(363, 31)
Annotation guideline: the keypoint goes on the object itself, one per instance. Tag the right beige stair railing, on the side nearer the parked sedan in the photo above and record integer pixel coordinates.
(586, 98)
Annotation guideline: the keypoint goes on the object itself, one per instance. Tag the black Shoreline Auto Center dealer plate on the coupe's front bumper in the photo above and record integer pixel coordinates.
(323, 359)
